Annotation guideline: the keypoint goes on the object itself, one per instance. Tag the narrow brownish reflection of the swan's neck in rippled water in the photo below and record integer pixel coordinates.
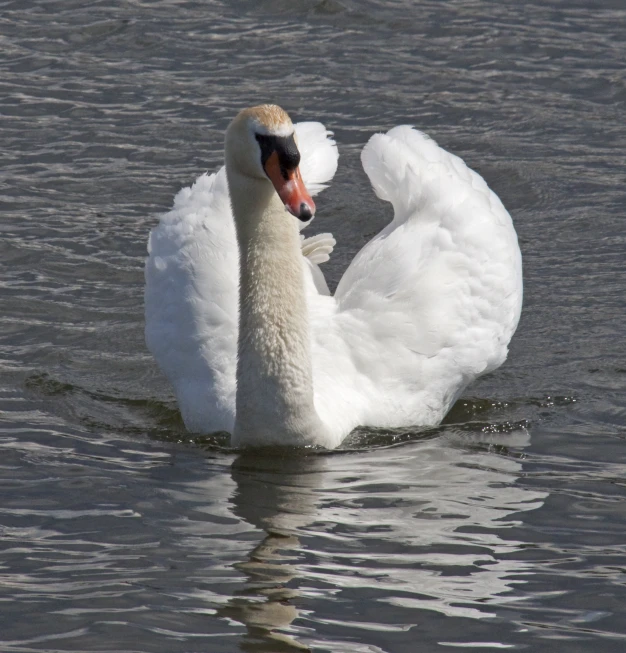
(276, 495)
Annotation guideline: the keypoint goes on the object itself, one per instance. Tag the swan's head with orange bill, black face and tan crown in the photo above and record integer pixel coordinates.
(261, 143)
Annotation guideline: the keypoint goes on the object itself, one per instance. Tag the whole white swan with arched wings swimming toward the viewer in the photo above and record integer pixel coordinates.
(239, 317)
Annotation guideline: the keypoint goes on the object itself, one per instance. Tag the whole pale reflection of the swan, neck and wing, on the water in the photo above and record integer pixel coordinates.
(419, 527)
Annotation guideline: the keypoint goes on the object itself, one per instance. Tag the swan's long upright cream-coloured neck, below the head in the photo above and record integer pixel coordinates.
(274, 402)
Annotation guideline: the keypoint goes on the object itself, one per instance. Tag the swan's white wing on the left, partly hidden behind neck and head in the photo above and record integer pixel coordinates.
(191, 294)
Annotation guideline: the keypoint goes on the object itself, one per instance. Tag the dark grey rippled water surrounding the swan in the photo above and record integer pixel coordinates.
(119, 531)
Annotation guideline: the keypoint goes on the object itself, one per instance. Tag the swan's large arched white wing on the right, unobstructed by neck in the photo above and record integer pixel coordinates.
(426, 306)
